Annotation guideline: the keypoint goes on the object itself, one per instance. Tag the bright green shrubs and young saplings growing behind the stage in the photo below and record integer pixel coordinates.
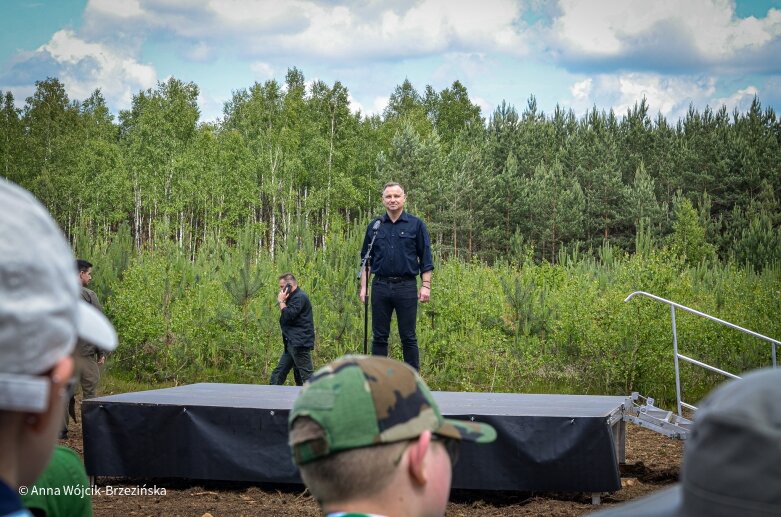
(503, 328)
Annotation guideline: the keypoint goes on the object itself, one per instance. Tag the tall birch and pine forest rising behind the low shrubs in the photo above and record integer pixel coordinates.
(293, 151)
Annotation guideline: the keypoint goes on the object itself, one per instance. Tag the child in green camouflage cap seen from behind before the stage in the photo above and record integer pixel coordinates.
(369, 439)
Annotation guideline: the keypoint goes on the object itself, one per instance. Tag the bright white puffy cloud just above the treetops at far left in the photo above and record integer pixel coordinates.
(83, 67)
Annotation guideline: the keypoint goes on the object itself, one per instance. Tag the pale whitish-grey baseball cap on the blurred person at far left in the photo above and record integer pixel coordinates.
(41, 310)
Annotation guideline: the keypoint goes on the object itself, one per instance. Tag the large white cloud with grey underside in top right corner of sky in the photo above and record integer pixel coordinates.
(702, 32)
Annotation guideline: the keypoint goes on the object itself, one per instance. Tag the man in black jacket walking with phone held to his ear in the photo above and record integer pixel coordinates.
(298, 332)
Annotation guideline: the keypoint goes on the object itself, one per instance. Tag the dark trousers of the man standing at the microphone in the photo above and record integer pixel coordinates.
(401, 296)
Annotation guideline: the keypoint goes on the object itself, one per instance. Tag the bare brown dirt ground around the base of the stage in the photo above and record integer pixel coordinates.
(652, 462)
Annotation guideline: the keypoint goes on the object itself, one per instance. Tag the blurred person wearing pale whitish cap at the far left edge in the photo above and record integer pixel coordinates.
(41, 316)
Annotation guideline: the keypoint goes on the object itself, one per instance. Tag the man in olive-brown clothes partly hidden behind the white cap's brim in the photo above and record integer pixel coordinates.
(89, 358)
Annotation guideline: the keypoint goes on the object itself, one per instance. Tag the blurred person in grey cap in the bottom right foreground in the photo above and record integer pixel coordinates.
(732, 458)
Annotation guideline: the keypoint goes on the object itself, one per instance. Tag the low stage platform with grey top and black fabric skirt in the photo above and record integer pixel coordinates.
(238, 432)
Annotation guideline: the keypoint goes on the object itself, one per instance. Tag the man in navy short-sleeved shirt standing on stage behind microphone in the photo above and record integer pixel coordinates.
(401, 252)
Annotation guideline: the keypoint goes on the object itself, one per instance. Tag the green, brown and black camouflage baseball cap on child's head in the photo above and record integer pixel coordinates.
(361, 401)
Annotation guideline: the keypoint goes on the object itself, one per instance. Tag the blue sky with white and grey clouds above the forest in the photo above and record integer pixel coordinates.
(575, 53)
